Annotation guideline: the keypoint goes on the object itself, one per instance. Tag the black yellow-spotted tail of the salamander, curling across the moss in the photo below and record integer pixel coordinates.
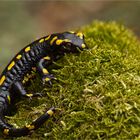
(10, 131)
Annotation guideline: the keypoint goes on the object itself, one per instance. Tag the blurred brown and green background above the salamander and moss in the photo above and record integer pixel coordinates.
(21, 22)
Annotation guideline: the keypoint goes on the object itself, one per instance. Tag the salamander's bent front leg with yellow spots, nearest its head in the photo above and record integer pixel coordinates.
(46, 77)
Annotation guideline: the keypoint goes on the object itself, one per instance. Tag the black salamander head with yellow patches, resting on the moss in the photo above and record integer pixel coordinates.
(71, 41)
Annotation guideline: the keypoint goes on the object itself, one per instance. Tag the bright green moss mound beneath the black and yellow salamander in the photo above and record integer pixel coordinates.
(98, 90)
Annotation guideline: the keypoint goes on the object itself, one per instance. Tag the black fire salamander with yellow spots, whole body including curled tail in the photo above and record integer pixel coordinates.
(39, 54)
